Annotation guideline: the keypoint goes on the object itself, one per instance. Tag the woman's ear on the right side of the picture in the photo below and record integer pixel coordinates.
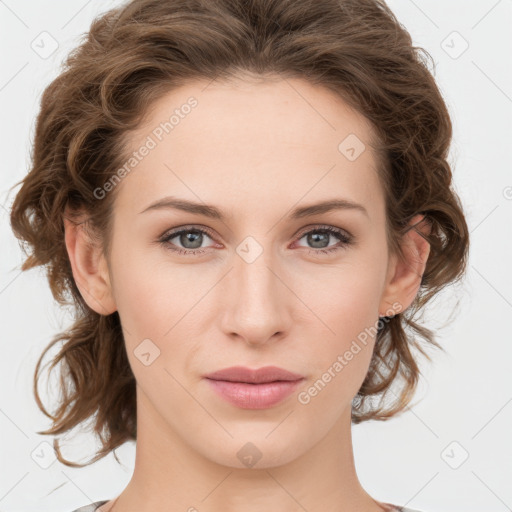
(404, 275)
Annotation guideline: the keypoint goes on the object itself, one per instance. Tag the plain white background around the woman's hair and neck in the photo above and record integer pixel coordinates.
(466, 394)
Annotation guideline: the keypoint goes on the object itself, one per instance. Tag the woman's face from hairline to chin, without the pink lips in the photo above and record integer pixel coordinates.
(255, 279)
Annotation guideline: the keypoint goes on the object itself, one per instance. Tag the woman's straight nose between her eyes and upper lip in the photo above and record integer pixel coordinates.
(257, 304)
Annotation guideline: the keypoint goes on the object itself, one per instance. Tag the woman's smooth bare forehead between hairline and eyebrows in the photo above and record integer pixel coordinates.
(274, 139)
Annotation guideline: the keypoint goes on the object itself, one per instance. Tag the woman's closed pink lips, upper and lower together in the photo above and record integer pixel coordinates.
(254, 389)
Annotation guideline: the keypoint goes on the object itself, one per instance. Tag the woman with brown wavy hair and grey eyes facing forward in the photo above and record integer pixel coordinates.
(247, 203)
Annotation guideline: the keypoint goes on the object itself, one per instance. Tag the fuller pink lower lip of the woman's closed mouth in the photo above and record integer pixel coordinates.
(254, 396)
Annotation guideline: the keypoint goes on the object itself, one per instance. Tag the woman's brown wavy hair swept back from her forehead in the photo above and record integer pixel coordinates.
(138, 52)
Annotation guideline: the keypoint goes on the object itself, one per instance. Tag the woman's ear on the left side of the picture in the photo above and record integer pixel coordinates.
(89, 266)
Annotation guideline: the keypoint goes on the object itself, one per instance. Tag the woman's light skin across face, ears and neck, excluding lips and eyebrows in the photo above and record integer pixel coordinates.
(256, 151)
